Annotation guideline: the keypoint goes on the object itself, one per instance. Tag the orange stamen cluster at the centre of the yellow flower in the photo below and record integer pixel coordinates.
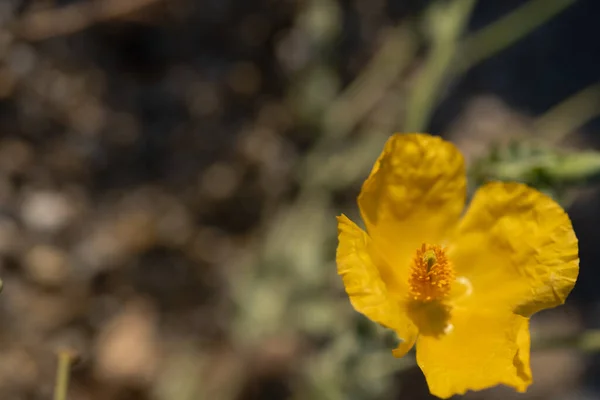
(431, 274)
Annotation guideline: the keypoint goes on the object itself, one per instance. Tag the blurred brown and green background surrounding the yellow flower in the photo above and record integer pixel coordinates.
(170, 171)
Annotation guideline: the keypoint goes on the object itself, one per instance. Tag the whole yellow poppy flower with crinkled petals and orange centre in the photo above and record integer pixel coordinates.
(461, 289)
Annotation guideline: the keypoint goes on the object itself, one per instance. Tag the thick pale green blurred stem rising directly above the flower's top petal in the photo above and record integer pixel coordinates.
(446, 24)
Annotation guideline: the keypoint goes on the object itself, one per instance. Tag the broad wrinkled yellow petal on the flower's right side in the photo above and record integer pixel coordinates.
(518, 249)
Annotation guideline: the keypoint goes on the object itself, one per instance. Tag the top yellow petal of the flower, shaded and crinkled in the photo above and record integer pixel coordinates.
(414, 194)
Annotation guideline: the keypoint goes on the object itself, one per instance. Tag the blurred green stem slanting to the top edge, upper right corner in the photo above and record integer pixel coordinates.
(506, 31)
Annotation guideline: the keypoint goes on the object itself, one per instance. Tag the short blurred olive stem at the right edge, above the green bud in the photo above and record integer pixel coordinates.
(570, 114)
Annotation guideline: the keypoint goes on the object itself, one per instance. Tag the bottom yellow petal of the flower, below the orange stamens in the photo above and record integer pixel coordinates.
(480, 350)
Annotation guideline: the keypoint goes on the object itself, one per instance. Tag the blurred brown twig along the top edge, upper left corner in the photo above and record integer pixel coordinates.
(44, 24)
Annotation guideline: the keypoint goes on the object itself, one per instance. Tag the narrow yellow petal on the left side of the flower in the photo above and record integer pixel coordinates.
(365, 288)
